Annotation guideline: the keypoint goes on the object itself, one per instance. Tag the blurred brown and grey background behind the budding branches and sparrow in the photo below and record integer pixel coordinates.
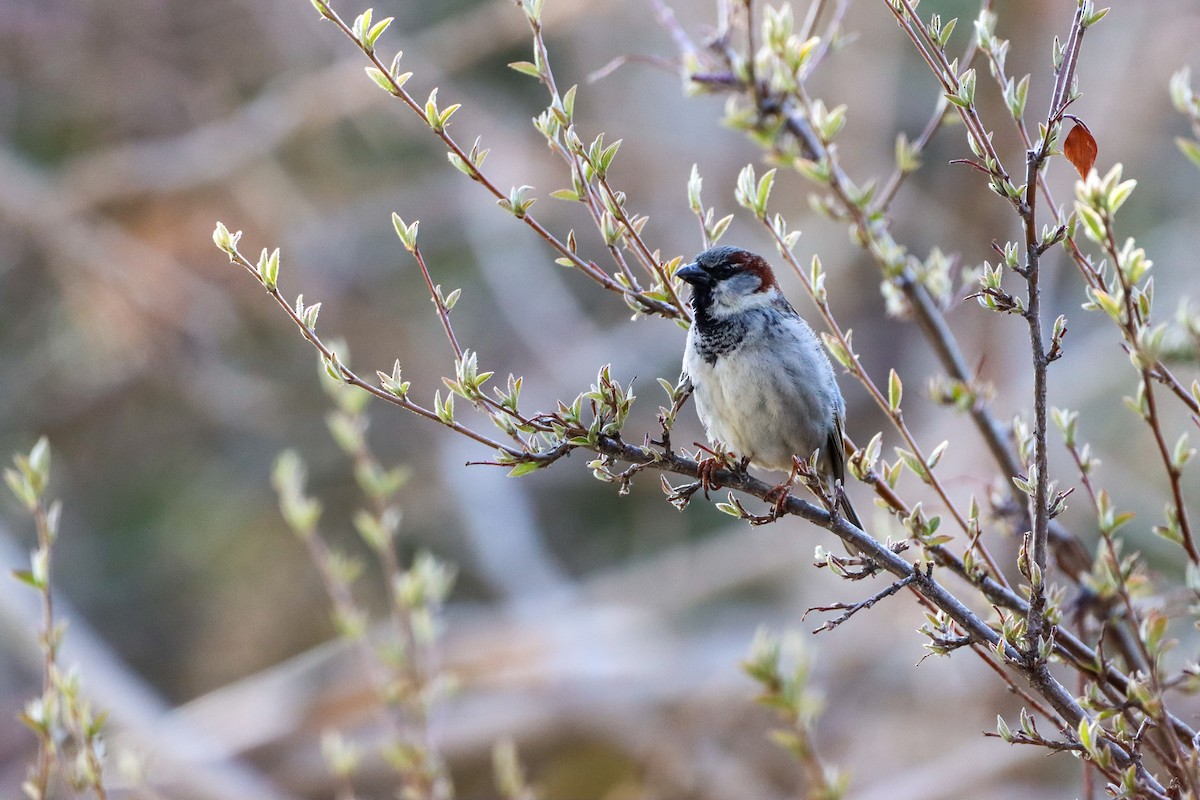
(603, 634)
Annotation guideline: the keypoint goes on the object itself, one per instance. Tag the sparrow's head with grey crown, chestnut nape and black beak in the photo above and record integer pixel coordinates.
(729, 281)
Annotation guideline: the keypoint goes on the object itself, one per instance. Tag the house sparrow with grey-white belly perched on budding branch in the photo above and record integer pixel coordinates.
(764, 384)
